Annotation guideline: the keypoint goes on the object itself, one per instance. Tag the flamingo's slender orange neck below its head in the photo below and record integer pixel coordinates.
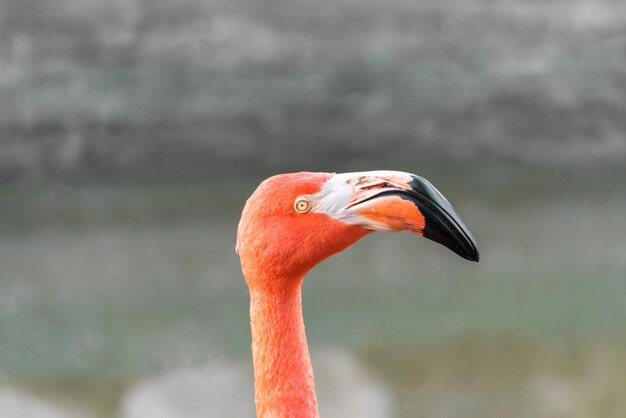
(284, 385)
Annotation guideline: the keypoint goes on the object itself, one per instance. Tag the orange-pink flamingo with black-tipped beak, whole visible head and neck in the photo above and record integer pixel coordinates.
(294, 221)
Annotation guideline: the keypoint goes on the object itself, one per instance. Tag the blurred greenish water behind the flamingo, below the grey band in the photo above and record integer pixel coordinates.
(101, 284)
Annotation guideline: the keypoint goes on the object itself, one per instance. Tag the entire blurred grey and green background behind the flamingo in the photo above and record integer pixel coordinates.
(132, 131)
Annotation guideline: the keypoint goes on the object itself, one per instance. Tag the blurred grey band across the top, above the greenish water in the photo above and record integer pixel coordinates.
(158, 89)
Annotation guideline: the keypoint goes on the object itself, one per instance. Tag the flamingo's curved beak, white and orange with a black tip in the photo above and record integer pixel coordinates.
(395, 201)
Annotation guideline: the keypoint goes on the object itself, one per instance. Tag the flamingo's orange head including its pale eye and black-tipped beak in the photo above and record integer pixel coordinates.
(294, 221)
